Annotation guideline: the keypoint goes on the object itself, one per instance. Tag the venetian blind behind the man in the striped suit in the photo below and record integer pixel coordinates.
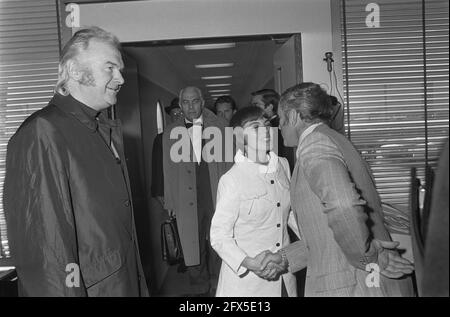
(396, 85)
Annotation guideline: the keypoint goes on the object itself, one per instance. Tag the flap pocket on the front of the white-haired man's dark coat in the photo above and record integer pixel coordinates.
(102, 267)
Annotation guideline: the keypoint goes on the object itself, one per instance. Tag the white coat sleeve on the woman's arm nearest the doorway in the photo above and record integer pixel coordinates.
(222, 226)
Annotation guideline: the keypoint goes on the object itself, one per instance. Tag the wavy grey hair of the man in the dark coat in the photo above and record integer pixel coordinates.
(78, 43)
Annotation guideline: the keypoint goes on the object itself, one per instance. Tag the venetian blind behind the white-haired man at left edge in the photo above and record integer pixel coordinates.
(29, 52)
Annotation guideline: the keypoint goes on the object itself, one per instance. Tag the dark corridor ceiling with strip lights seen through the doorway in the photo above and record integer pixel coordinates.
(251, 59)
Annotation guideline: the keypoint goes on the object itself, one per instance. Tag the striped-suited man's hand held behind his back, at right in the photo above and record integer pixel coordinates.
(392, 265)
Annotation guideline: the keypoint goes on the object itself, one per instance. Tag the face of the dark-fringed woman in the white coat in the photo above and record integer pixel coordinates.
(257, 138)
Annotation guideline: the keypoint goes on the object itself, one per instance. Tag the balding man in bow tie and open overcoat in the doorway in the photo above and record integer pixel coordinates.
(190, 190)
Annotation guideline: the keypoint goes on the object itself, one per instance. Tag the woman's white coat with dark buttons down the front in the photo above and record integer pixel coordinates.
(251, 216)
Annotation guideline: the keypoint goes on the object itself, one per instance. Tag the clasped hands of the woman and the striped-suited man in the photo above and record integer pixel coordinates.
(266, 265)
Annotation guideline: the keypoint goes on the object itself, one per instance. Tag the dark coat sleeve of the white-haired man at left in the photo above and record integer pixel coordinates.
(41, 225)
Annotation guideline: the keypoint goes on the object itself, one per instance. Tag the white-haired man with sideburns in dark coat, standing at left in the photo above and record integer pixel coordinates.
(67, 193)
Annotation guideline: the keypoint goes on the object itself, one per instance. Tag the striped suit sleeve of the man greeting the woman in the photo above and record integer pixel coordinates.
(329, 179)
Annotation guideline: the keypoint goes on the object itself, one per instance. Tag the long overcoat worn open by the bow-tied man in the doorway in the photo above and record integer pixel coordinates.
(180, 186)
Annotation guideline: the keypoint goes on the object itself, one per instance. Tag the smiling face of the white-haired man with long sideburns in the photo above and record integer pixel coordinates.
(99, 75)
